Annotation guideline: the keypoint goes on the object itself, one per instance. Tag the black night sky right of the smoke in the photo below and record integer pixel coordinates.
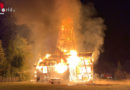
(116, 14)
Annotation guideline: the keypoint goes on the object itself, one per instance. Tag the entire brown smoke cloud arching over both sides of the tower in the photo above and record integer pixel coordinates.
(44, 18)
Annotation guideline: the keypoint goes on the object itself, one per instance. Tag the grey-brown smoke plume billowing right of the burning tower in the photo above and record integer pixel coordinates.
(90, 31)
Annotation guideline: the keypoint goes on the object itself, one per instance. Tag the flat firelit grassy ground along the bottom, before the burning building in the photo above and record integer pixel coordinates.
(98, 85)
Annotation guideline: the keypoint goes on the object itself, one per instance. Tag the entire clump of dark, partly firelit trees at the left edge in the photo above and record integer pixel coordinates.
(15, 48)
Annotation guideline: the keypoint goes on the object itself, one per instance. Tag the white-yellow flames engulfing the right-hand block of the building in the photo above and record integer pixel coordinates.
(79, 65)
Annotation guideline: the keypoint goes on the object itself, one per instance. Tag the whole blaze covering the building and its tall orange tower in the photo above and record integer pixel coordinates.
(78, 65)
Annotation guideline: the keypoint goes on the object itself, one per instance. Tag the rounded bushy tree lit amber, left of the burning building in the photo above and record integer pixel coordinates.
(19, 56)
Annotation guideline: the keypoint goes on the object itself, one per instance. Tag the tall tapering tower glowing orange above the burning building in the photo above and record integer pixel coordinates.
(66, 40)
